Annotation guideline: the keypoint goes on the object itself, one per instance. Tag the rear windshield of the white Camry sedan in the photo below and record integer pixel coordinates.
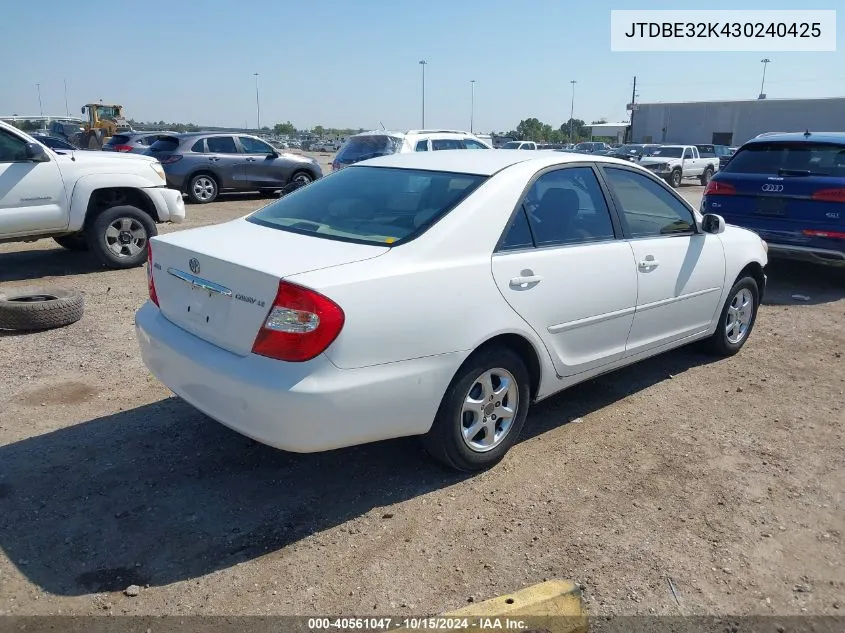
(369, 205)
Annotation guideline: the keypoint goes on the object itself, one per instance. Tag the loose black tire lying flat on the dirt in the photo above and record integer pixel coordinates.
(30, 309)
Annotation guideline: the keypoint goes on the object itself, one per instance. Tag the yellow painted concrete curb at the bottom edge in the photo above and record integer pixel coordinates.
(554, 606)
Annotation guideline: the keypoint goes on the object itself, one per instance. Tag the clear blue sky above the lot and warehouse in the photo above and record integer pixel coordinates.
(353, 63)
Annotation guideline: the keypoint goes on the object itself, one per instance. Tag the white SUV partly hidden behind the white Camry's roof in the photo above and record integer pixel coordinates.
(381, 143)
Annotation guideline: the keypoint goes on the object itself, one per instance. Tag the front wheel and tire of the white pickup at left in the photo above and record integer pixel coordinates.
(118, 236)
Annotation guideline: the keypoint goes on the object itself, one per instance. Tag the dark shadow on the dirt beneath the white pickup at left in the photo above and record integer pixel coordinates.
(36, 264)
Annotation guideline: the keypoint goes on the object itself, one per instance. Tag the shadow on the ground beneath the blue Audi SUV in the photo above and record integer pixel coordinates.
(802, 283)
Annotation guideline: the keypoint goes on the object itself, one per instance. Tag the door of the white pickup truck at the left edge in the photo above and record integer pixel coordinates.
(32, 194)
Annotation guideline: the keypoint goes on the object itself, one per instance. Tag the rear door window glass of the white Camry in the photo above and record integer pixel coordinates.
(567, 206)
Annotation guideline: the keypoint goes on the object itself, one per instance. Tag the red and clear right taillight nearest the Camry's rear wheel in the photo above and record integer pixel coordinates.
(302, 323)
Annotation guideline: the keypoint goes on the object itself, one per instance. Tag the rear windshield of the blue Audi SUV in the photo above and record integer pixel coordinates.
(789, 158)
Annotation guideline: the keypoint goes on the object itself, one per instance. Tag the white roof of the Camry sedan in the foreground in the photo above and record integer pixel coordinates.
(479, 162)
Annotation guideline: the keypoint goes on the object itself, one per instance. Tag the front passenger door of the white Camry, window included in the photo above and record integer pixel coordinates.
(680, 269)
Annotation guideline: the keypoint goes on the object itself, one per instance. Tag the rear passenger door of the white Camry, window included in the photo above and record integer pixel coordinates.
(563, 267)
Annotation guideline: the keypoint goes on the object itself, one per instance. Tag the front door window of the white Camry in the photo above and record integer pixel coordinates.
(647, 207)
